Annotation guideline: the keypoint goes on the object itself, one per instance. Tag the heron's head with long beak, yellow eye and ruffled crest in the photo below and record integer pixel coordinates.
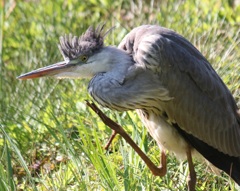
(84, 56)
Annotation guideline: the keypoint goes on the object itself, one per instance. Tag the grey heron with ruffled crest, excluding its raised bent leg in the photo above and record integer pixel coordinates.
(179, 97)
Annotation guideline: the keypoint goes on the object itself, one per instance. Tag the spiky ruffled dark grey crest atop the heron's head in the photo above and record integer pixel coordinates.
(92, 40)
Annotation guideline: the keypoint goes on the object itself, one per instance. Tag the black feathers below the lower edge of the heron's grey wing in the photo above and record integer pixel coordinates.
(229, 164)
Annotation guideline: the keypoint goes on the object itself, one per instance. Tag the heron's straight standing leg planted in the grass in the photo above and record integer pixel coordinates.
(192, 174)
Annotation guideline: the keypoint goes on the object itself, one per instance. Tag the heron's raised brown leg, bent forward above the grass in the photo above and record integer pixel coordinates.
(157, 171)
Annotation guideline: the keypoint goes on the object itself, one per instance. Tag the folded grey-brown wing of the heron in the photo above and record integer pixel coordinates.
(202, 105)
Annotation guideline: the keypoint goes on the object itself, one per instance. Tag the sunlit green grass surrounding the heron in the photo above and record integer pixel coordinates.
(50, 140)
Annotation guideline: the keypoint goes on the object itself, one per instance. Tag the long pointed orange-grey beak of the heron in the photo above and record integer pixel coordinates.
(51, 70)
